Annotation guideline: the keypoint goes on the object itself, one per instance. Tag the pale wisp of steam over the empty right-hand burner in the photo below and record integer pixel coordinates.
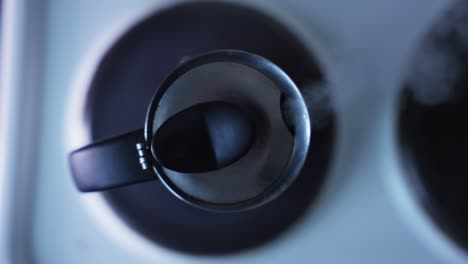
(440, 61)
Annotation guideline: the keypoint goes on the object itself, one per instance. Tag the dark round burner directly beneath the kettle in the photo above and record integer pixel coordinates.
(122, 88)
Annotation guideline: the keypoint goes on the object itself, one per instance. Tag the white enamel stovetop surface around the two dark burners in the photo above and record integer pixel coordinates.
(365, 213)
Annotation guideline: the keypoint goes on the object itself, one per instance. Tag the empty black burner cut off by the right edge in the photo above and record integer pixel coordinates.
(433, 129)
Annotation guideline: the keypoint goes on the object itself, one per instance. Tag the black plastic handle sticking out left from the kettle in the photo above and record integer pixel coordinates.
(110, 163)
